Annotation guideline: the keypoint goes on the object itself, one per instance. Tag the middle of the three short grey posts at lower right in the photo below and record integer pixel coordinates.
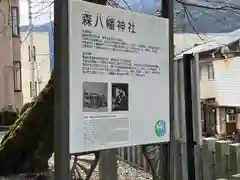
(222, 159)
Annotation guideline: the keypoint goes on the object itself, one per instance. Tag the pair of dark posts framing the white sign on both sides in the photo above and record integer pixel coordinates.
(61, 64)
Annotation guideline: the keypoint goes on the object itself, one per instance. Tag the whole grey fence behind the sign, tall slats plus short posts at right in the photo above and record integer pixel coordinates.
(211, 156)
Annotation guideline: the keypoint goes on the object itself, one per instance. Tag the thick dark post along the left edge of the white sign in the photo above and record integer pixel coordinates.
(61, 90)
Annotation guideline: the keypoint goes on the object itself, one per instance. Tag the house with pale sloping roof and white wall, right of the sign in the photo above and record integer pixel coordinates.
(219, 62)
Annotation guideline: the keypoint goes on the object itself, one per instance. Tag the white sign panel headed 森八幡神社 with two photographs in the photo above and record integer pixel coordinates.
(119, 78)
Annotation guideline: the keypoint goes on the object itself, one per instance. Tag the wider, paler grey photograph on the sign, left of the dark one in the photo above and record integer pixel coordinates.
(95, 97)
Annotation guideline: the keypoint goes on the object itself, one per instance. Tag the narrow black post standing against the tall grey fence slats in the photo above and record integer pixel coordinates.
(187, 58)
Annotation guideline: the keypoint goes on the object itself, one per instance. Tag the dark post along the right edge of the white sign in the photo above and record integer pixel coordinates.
(167, 12)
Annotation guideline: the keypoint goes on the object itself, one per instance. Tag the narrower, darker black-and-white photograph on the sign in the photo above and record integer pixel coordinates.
(119, 97)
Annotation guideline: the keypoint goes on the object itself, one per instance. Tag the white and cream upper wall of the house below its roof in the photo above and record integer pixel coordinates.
(226, 85)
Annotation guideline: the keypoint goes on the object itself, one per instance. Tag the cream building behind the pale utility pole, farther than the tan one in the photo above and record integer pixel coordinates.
(42, 65)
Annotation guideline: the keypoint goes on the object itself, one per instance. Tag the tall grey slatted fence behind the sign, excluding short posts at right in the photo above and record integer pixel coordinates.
(179, 156)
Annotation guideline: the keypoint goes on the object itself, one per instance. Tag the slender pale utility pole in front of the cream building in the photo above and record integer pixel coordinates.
(31, 51)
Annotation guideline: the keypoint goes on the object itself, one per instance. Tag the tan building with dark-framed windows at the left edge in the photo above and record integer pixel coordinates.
(10, 56)
